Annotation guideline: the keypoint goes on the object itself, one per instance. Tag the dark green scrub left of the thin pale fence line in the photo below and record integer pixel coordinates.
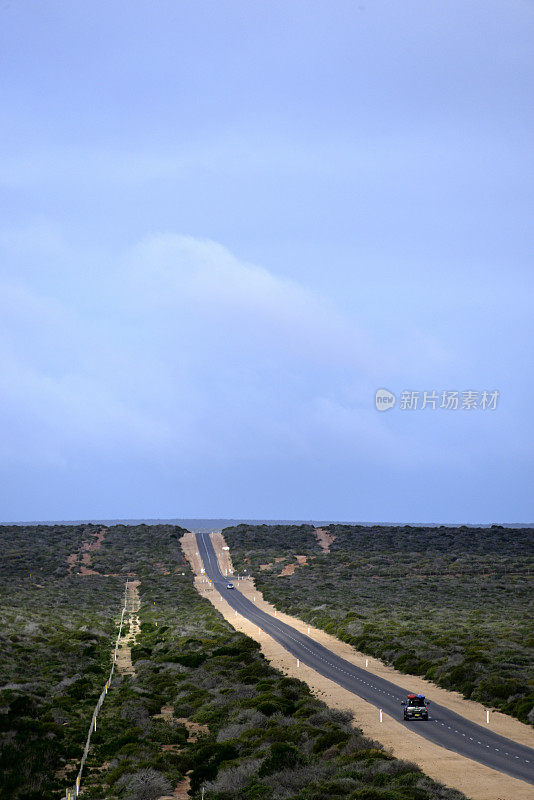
(55, 636)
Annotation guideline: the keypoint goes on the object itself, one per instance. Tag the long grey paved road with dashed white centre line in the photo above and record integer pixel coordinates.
(445, 728)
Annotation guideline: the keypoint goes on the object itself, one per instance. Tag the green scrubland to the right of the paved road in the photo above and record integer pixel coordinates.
(454, 605)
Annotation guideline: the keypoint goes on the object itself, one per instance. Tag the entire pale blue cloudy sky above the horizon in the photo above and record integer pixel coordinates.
(224, 225)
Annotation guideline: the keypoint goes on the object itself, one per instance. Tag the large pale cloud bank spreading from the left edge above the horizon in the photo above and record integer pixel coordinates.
(180, 350)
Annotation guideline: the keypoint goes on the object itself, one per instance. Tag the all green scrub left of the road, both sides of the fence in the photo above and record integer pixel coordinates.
(204, 708)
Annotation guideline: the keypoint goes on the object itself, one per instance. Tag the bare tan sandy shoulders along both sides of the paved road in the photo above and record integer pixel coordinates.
(475, 780)
